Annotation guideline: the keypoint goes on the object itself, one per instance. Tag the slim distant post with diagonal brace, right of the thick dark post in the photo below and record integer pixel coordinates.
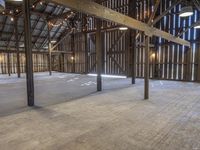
(49, 50)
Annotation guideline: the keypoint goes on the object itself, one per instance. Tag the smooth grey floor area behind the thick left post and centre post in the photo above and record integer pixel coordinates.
(49, 90)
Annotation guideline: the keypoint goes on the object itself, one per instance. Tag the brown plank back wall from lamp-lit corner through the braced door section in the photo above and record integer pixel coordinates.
(114, 43)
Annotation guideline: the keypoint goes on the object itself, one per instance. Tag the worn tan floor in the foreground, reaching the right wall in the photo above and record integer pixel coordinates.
(116, 119)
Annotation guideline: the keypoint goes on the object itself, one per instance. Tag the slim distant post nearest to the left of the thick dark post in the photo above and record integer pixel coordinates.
(17, 48)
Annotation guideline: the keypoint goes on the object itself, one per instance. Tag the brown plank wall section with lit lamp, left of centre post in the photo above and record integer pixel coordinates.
(75, 58)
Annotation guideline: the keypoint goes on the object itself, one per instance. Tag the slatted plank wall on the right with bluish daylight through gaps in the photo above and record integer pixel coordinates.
(170, 61)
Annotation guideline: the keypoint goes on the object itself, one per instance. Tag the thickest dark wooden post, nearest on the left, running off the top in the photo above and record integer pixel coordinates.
(28, 49)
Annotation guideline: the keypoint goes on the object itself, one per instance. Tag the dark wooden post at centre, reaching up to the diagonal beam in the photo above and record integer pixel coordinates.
(99, 55)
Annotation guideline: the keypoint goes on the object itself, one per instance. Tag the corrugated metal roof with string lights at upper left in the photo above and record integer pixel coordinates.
(39, 14)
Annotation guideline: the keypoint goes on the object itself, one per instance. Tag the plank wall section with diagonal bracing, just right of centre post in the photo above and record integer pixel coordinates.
(116, 46)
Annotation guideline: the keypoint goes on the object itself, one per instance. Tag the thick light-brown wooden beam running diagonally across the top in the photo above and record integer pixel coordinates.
(105, 13)
